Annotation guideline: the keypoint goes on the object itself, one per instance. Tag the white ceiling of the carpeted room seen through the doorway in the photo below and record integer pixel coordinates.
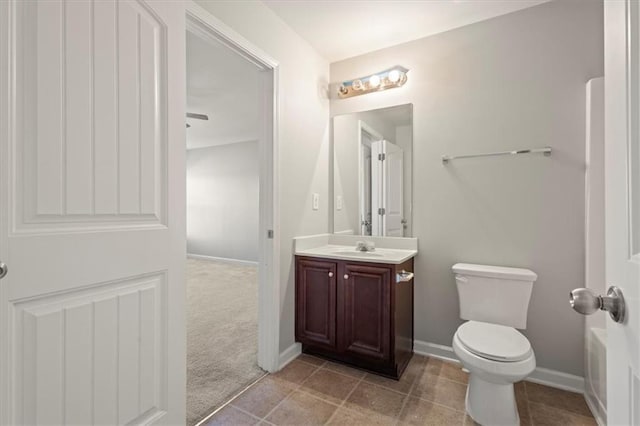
(224, 86)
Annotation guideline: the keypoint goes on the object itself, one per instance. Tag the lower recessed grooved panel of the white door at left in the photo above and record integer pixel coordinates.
(69, 358)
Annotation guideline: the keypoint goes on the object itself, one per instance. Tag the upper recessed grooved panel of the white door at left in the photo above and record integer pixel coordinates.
(91, 144)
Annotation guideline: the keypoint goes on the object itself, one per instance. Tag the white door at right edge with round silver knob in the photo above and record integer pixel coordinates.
(622, 176)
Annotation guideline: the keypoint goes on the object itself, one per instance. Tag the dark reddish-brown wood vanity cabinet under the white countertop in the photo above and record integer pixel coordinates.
(355, 312)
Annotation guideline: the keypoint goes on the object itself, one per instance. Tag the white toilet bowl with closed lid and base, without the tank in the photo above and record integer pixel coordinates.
(496, 357)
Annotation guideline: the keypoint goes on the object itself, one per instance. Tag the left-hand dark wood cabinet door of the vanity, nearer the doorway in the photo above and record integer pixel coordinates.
(316, 302)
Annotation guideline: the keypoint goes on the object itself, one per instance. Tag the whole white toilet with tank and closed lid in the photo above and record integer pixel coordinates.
(495, 301)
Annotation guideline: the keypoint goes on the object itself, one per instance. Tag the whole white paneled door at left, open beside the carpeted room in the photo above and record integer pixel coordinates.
(92, 226)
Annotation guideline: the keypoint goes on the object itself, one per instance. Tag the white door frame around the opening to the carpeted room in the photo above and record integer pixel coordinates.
(197, 18)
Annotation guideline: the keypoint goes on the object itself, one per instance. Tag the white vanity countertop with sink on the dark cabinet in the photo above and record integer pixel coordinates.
(343, 252)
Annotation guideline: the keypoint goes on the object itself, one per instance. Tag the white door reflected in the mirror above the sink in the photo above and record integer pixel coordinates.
(387, 189)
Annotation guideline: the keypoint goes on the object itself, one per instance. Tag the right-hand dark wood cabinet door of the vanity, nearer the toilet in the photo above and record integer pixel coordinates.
(367, 310)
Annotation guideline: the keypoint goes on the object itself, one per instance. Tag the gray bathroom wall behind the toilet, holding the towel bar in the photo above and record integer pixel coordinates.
(515, 81)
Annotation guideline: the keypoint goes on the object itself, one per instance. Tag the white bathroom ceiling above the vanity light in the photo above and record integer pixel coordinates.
(347, 28)
